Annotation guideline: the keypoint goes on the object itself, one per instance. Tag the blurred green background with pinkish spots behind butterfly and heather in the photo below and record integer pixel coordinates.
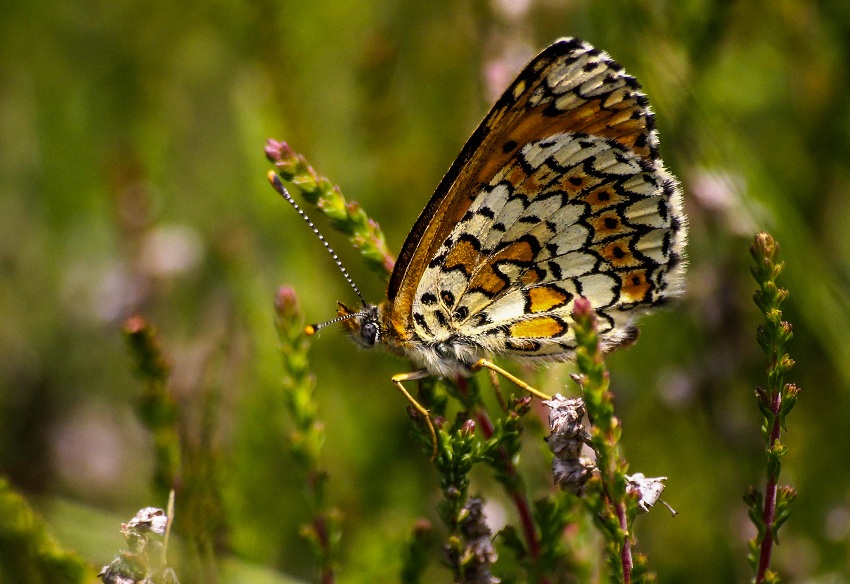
(132, 180)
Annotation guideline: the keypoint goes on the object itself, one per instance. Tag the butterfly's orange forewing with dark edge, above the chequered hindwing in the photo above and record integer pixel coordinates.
(569, 87)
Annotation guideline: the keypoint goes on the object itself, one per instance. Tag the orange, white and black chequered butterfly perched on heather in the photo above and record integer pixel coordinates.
(559, 193)
